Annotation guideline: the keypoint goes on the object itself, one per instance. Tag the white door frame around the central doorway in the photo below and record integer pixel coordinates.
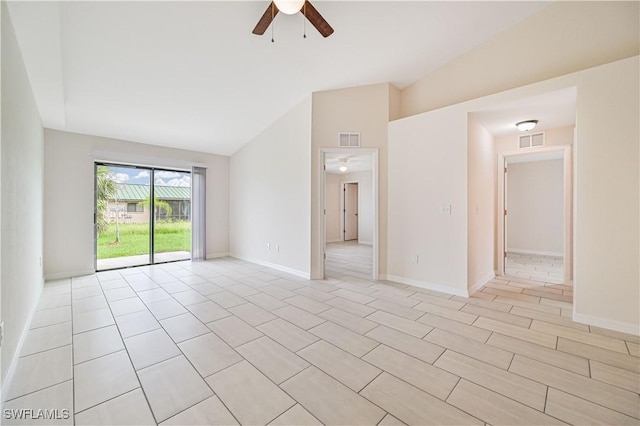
(321, 242)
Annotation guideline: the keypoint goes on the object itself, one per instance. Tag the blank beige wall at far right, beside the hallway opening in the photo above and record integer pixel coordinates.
(607, 194)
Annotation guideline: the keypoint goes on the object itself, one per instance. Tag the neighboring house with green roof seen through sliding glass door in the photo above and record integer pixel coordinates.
(129, 203)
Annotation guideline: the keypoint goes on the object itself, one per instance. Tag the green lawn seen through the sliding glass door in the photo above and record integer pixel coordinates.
(134, 239)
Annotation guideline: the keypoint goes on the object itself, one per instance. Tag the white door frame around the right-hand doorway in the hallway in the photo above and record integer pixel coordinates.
(567, 206)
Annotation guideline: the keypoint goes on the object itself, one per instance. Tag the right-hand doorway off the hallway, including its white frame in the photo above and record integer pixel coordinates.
(535, 224)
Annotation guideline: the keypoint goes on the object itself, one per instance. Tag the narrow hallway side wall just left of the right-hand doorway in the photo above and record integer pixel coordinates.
(481, 205)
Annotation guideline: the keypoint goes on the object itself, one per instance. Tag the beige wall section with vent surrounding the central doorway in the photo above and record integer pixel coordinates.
(364, 109)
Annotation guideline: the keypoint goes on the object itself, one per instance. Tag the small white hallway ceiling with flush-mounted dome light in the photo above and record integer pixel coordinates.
(552, 109)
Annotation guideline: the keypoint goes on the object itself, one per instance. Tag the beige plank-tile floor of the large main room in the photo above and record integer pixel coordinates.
(227, 342)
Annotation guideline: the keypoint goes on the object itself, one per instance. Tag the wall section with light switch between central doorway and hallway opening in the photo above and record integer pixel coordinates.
(427, 170)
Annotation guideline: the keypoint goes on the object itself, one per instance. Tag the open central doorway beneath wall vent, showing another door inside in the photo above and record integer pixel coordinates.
(349, 213)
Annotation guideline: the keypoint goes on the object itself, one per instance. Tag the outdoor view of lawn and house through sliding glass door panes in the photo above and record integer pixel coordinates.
(126, 213)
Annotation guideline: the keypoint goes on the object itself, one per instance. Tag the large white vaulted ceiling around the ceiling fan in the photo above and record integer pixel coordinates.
(191, 75)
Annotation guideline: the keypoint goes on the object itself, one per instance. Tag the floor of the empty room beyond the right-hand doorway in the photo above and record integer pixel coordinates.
(535, 267)
